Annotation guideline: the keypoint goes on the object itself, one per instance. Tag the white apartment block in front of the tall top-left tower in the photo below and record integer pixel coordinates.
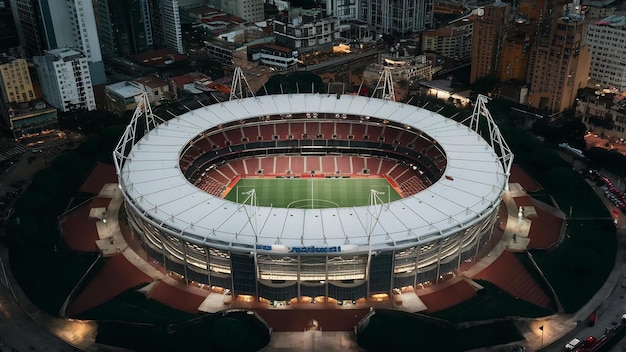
(65, 80)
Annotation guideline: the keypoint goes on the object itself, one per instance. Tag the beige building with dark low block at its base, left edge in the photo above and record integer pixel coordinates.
(22, 111)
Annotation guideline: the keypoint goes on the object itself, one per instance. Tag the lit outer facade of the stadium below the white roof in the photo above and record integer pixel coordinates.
(313, 276)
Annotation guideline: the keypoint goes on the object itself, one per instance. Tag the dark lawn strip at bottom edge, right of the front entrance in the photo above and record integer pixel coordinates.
(399, 331)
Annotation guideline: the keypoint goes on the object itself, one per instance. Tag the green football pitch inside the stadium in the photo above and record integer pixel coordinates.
(312, 193)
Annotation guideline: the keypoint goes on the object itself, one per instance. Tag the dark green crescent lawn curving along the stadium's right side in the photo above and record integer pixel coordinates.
(587, 254)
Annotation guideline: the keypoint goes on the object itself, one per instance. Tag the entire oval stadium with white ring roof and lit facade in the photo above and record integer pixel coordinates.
(346, 198)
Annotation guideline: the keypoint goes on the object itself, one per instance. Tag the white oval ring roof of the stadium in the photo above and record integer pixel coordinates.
(473, 184)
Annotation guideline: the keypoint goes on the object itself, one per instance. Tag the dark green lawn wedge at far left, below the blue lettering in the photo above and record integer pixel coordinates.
(48, 274)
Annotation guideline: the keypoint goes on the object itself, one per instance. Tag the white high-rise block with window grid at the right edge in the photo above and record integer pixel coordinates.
(605, 38)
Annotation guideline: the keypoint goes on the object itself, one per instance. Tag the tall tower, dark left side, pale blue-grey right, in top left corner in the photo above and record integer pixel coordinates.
(51, 24)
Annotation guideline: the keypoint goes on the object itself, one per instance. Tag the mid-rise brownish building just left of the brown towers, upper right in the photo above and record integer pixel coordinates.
(453, 41)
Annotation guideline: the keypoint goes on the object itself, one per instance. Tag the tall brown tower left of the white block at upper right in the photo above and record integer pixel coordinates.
(559, 62)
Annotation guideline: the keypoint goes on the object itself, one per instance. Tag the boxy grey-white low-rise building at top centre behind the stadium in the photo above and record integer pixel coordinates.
(306, 32)
